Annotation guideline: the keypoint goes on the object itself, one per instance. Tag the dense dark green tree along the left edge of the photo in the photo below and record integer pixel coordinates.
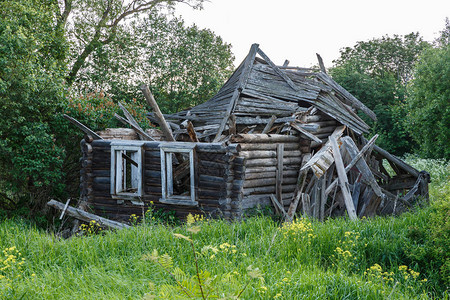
(31, 90)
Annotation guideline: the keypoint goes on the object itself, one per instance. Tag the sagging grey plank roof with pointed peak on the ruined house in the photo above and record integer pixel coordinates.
(258, 88)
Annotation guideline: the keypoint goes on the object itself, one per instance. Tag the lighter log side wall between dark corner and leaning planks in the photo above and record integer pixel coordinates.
(261, 168)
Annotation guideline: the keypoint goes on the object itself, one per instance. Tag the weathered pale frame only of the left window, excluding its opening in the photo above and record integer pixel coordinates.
(116, 188)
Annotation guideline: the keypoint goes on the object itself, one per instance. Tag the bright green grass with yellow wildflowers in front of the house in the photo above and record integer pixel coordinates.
(381, 258)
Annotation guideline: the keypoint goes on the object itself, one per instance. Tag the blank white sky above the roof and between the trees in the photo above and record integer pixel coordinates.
(297, 30)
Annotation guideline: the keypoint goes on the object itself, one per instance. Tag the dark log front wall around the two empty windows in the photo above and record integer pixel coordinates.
(218, 173)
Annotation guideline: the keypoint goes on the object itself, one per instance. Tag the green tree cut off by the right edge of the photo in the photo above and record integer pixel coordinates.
(428, 105)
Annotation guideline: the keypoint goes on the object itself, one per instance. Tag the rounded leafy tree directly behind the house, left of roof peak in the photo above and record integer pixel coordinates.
(185, 65)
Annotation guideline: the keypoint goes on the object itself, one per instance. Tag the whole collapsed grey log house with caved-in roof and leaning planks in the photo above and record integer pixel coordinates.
(282, 136)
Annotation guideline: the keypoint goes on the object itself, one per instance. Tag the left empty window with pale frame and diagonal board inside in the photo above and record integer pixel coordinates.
(126, 170)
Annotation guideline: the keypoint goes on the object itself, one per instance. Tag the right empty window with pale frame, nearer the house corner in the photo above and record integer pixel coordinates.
(177, 173)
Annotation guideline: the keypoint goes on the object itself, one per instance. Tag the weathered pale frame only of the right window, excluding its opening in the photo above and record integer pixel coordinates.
(166, 151)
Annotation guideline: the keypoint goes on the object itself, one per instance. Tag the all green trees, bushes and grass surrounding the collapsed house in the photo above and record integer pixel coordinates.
(86, 56)
